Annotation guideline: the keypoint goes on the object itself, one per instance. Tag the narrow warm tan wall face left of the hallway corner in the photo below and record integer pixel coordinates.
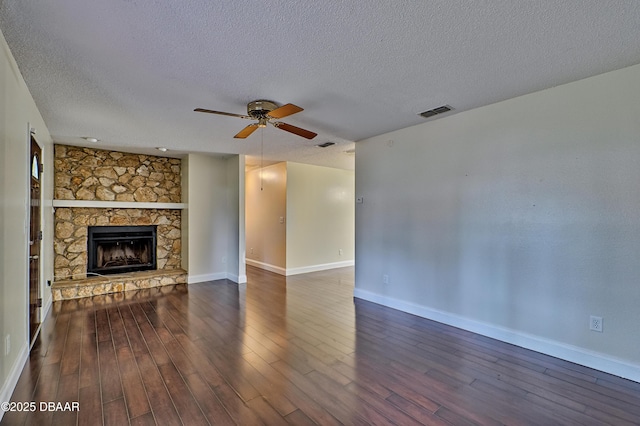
(266, 205)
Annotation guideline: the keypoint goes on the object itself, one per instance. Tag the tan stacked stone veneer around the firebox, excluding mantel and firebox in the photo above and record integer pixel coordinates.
(104, 176)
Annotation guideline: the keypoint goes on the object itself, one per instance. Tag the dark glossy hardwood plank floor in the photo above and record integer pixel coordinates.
(295, 350)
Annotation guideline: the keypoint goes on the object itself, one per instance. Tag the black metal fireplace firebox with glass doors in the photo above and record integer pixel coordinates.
(119, 249)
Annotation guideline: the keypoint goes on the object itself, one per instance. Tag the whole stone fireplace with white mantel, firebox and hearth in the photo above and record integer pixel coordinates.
(117, 222)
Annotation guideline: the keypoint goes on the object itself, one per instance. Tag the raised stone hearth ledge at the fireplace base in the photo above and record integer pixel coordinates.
(95, 286)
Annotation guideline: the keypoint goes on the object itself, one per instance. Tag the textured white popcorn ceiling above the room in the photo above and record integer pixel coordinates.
(130, 72)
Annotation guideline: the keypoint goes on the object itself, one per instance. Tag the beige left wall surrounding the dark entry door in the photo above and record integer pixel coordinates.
(18, 112)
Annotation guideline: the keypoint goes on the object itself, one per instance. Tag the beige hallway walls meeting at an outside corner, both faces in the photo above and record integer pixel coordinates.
(300, 218)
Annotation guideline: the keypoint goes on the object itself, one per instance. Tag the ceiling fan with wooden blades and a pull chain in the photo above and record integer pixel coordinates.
(265, 112)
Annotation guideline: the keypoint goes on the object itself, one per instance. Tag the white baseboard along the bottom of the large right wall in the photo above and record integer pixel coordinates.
(557, 349)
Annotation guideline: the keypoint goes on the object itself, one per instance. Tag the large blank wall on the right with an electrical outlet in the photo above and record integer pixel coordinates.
(517, 220)
